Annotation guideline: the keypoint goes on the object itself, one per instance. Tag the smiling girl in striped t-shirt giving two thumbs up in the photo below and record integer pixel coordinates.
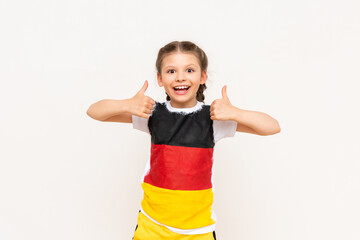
(177, 181)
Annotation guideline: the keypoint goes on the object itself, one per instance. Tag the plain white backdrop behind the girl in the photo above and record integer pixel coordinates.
(64, 175)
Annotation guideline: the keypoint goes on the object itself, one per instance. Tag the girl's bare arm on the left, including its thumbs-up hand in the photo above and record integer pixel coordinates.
(109, 110)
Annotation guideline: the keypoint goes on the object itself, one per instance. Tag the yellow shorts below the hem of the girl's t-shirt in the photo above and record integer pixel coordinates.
(148, 230)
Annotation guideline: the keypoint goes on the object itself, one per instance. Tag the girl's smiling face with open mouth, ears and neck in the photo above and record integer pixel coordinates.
(181, 77)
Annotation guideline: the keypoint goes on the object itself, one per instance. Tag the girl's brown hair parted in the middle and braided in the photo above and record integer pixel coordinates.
(185, 47)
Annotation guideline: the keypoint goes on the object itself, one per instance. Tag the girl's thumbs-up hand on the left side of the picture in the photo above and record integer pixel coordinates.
(140, 104)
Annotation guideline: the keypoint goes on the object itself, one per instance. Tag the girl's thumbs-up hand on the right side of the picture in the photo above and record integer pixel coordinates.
(222, 109)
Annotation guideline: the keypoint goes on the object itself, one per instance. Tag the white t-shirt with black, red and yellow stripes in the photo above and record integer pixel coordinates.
(177, 180)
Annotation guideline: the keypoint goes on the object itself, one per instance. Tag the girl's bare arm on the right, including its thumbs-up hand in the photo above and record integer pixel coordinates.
(247, 121)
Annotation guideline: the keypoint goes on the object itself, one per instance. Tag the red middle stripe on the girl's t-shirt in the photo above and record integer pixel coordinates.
(180, 168)
